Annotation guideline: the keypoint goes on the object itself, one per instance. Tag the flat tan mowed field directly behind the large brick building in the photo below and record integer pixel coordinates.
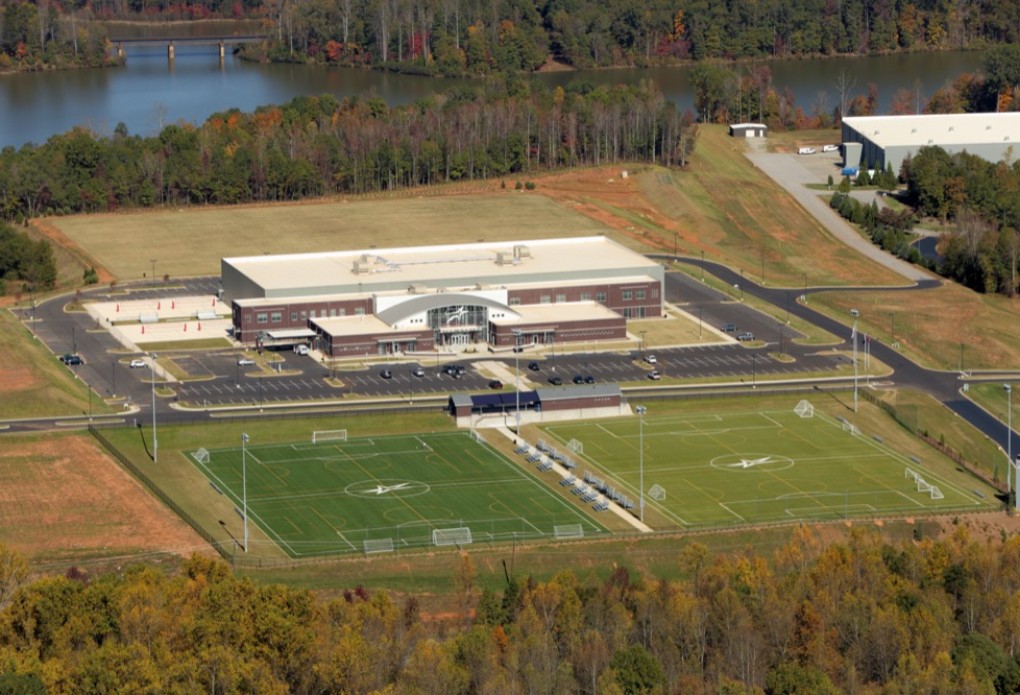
(191, 242)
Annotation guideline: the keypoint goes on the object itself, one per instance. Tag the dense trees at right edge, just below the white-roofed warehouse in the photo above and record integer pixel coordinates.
(982, 200)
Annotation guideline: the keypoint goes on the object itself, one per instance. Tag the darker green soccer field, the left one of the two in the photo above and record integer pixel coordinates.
(315, 500)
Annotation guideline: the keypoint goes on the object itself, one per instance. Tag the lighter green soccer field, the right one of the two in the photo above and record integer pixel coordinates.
(760, 467)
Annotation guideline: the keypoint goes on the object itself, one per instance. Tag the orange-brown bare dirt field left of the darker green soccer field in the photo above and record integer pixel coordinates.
(64, 497)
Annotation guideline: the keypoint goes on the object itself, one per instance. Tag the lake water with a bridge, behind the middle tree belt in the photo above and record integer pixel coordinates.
(150, 91)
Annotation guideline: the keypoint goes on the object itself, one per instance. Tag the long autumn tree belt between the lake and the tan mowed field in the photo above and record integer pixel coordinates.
(321, 145)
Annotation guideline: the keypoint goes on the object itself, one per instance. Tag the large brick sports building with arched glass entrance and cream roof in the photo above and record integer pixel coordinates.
(426, 299)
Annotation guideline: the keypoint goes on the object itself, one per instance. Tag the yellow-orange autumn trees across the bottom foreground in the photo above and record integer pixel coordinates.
(927, 617)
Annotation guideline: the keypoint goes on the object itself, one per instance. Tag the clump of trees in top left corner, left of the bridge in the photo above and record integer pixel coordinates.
(42, 34)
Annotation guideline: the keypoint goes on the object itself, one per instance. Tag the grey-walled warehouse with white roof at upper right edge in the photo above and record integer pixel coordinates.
(878, 141)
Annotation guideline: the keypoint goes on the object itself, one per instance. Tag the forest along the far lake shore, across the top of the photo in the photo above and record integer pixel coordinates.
(467, 37)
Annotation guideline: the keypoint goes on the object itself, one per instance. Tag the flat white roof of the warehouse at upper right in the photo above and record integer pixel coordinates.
(939, 129)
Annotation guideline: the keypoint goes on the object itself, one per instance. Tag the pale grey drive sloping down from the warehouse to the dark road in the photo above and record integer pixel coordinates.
(791, 175)
